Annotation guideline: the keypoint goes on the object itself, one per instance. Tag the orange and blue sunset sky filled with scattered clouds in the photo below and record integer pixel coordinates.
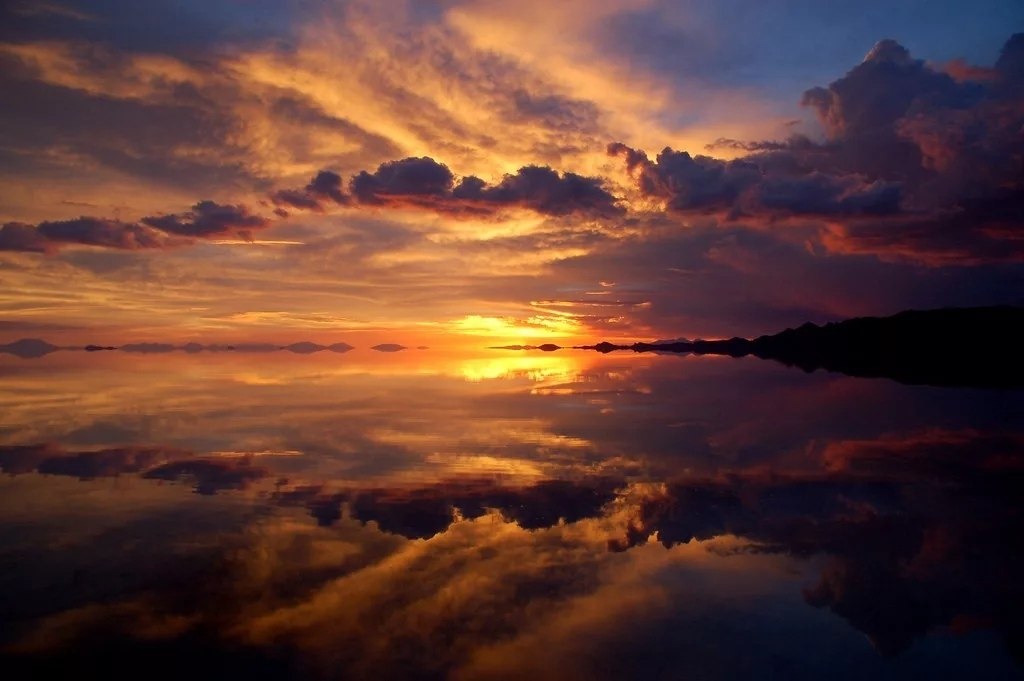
(484, 172)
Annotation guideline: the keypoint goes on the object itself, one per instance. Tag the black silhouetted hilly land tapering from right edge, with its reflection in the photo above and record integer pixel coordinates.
(965, 348)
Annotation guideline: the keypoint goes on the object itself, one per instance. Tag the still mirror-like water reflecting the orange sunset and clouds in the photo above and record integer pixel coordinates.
(426, 516)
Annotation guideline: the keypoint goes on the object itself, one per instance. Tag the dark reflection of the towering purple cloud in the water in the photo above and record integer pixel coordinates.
(916, 529)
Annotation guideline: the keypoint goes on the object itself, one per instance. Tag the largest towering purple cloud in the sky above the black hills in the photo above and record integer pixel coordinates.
(917, 165)
